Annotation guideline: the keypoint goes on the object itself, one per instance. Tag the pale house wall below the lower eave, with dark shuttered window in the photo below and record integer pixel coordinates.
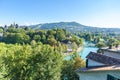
(99, 75)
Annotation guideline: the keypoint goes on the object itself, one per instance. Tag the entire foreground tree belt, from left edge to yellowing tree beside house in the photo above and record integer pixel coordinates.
(36, 62)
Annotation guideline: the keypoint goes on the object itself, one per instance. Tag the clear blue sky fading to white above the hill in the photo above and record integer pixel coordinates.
(98, 13)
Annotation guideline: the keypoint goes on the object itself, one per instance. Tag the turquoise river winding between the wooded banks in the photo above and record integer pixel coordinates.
(86, 50)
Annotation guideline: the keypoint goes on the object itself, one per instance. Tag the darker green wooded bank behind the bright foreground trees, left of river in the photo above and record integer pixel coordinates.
(52, 37)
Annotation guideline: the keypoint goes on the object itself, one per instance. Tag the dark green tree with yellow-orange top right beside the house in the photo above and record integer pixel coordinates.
(69, 67)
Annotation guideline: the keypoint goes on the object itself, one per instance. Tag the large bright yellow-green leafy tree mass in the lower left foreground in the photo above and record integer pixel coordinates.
(40, 62)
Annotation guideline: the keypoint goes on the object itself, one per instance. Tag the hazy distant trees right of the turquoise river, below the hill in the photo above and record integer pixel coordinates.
(101, 39)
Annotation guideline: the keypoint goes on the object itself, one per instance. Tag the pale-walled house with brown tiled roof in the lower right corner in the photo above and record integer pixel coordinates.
(100, 67)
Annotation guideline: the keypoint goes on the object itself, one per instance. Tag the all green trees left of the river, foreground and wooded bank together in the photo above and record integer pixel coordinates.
(28, 54)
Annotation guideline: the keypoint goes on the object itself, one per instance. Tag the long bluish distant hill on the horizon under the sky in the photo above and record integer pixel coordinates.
(74, 27)
